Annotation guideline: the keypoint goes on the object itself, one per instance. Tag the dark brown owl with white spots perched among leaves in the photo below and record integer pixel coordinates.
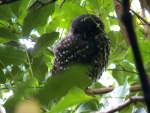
(85, 43)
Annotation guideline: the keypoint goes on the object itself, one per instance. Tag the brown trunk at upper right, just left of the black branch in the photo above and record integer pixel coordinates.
(118, 9)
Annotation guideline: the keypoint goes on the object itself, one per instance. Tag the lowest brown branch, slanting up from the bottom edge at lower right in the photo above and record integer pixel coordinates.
(124, 104)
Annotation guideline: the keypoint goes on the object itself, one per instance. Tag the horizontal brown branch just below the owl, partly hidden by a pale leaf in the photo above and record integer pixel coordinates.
(107, 90)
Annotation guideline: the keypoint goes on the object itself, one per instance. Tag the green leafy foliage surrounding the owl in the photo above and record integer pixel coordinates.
(27, 71)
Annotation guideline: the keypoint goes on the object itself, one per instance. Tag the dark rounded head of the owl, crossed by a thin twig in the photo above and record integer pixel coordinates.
(87, 24)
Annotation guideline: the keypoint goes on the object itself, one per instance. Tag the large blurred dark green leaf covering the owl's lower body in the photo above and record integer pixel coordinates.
(58, 85)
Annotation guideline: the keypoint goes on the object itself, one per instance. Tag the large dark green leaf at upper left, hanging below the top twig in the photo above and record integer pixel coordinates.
(36, 18)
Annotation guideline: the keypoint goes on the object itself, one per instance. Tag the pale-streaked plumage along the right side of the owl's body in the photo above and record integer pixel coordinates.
(99, 61)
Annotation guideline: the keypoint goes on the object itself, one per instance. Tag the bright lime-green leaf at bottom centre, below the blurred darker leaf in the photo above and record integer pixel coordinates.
(74, 96)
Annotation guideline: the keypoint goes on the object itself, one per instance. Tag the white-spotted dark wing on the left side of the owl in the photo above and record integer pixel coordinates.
(72, 48)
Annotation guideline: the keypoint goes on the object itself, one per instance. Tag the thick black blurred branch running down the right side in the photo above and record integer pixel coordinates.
(127, 19)
